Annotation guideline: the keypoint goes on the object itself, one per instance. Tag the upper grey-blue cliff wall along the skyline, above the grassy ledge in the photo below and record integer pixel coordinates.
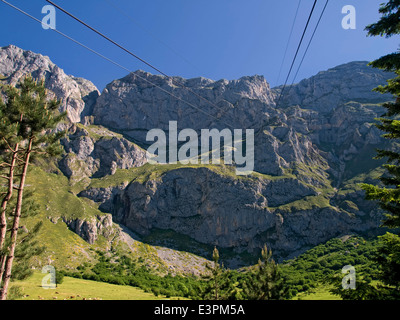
(335, 108)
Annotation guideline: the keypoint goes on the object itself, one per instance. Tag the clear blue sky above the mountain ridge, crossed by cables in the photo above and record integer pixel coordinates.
(211, 38)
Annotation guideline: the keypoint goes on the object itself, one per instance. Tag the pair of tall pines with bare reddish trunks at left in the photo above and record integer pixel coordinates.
(27, 129)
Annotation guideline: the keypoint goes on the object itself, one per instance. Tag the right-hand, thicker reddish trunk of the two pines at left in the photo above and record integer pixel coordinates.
(14, 230)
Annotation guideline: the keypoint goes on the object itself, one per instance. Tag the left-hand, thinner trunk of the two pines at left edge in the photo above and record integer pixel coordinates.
(6, 199)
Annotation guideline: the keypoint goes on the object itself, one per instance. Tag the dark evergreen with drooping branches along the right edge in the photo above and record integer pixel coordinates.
(388, 196)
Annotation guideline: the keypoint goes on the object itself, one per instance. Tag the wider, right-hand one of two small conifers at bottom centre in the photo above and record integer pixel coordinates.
(266, 282)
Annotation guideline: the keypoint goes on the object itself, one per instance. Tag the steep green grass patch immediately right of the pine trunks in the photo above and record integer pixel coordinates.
(51, 193)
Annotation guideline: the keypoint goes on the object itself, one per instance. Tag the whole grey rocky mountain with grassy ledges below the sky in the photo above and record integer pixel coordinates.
(311, 150)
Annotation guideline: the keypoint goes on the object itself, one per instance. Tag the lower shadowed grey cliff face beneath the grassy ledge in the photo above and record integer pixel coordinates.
(207, 206)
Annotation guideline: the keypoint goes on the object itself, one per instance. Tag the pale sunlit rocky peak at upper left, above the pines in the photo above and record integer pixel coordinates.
(76, 94)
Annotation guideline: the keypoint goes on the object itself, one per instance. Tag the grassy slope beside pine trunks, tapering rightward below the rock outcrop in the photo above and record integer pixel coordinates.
(64, 248)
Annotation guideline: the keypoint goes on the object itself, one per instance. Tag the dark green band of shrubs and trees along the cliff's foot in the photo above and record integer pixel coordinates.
(309, 276)
